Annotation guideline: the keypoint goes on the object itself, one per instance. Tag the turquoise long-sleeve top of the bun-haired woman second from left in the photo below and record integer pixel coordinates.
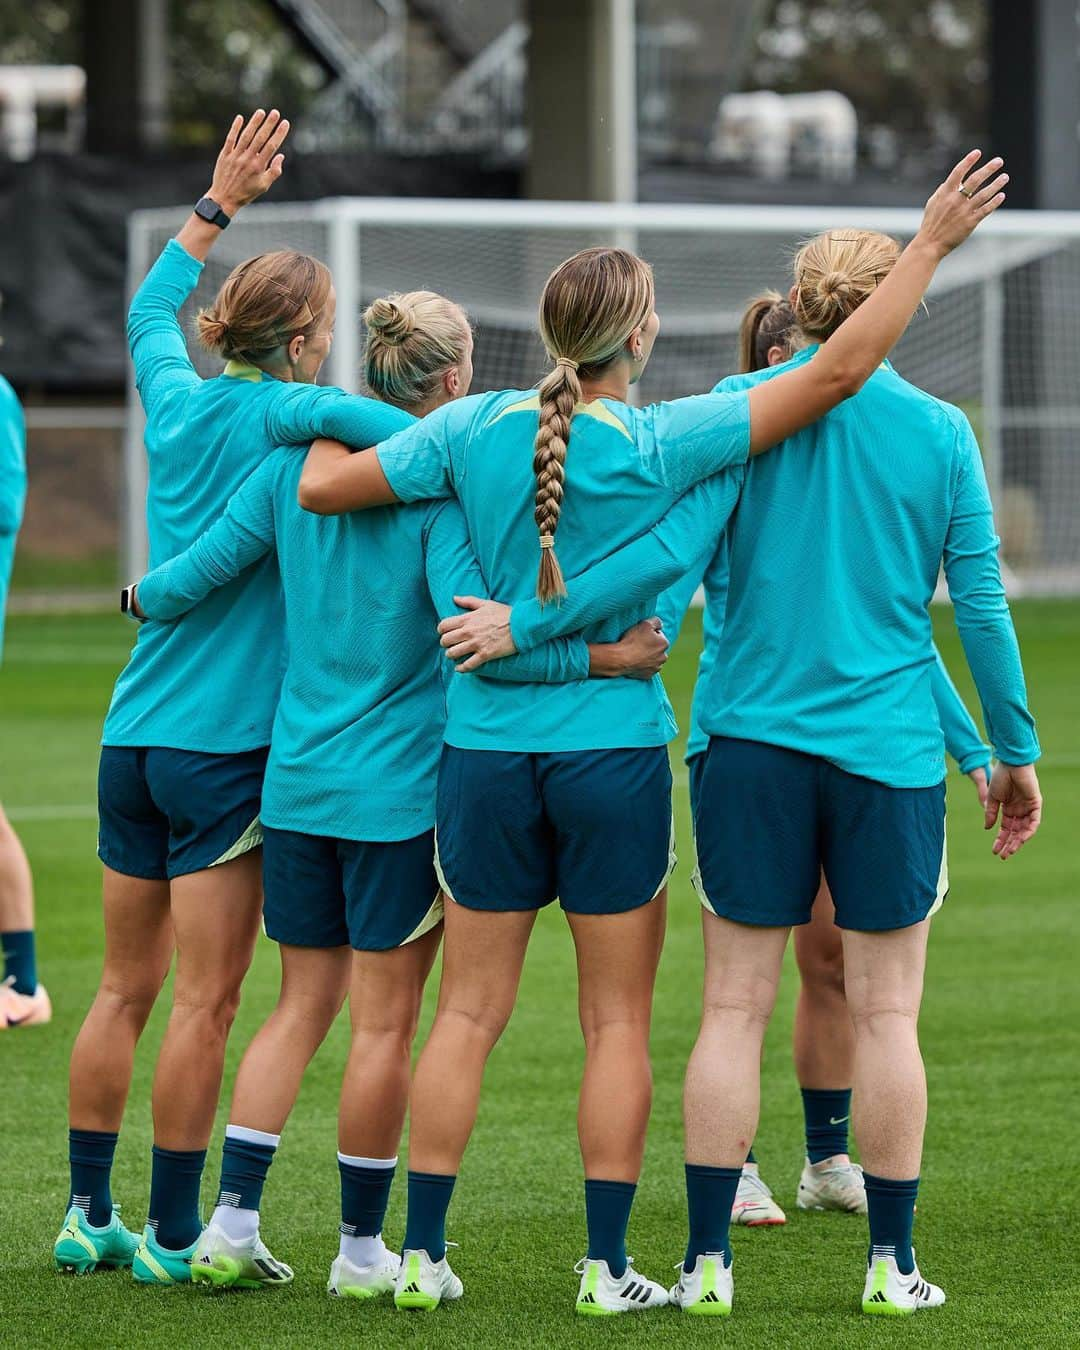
(360, 724)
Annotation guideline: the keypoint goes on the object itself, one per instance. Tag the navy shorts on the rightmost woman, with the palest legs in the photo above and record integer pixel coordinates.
(769, 821)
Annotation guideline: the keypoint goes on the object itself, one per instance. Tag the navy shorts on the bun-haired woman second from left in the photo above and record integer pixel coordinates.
(325, 892)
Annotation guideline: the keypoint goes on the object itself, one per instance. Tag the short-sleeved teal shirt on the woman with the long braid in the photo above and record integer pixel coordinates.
(624, 468)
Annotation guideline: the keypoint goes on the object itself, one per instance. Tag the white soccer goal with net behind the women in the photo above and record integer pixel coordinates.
(1001, 334)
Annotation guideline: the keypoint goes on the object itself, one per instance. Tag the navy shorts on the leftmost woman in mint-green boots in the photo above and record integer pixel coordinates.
(167, 813)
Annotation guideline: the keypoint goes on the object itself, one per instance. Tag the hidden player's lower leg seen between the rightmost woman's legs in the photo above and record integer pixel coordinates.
(824, 1050)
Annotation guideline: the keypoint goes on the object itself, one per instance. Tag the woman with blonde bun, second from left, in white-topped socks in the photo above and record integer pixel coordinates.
(349, 799)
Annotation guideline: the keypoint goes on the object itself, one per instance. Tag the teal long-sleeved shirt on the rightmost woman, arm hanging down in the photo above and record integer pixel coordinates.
(835, 556)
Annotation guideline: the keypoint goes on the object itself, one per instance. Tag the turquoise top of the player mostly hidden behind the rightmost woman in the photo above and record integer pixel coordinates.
(962, 736)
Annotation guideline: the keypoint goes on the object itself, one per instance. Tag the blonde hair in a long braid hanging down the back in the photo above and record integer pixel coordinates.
(589, 307)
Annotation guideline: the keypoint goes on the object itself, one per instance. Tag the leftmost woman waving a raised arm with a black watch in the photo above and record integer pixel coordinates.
(187, 732)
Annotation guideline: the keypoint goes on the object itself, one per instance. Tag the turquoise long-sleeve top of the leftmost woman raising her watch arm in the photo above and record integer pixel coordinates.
(210, 682)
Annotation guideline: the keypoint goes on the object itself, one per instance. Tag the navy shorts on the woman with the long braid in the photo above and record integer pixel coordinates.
(519, 830)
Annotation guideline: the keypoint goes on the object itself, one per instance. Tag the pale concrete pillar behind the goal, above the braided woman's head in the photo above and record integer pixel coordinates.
(583, 103)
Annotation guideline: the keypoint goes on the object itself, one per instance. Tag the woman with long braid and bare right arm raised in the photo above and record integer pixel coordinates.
(566, 792)
